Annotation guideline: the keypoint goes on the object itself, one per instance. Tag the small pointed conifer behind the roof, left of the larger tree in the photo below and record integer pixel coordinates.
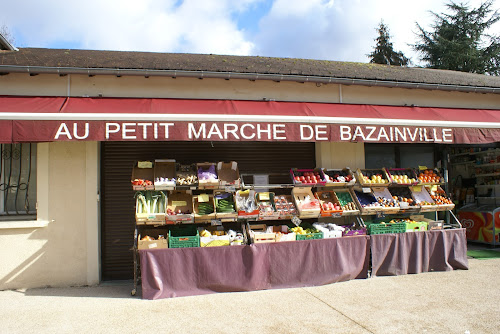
(384, 52)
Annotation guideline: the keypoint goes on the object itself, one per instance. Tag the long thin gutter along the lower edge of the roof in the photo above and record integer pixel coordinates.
(247, 76)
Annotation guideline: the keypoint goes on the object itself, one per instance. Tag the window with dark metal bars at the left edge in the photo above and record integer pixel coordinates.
(18, 181)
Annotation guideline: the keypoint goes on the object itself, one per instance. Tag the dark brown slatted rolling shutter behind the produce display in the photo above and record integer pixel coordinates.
(117, 160)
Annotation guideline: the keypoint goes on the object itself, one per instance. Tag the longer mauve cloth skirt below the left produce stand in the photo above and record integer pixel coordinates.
(176, 272)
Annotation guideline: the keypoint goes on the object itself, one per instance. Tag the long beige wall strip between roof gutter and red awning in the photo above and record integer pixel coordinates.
(163, 87)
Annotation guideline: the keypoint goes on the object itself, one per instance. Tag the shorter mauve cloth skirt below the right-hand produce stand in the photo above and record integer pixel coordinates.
(416, 252)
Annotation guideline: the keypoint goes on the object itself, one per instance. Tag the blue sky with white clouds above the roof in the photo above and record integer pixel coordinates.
(342, 30)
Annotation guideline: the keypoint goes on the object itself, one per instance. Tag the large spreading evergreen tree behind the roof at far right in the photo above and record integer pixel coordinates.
(459, 41)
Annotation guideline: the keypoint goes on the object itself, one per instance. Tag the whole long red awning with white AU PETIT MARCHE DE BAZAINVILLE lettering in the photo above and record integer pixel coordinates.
(34, 119)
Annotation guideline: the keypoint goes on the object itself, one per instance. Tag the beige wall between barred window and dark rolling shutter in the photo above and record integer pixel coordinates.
(65, 252)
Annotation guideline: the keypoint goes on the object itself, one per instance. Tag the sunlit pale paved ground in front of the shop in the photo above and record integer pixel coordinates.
(462, 301)
